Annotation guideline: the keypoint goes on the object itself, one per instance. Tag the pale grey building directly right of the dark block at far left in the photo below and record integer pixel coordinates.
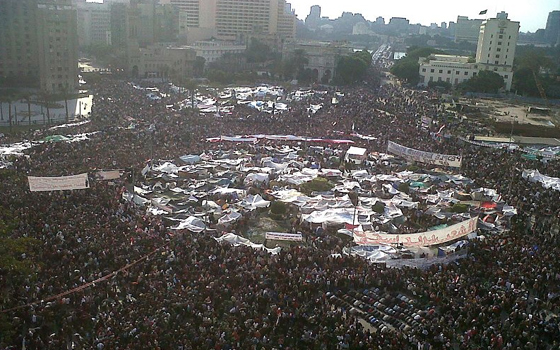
(94, 23)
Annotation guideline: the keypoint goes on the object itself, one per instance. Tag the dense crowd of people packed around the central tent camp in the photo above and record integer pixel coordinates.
(181, 290)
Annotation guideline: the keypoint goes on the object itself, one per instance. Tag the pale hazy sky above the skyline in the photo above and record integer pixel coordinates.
(531, 14)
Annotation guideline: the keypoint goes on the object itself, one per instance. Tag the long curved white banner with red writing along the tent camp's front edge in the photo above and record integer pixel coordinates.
(422, 239)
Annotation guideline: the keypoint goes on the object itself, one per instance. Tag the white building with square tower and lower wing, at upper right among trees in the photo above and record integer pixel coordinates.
(495, 52)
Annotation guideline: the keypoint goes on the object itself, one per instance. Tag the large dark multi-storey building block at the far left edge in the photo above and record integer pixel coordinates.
(38, 44)
